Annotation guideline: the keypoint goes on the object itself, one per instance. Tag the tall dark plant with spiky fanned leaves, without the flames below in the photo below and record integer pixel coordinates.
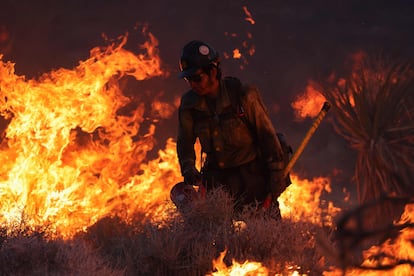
(374, 108)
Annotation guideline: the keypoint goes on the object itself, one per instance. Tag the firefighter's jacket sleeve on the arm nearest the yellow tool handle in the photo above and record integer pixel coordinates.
(267, 140)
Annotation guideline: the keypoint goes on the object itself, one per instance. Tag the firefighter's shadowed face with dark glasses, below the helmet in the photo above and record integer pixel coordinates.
(204, 83)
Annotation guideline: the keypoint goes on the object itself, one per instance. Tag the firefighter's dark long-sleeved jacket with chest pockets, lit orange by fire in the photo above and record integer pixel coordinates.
(223, 134)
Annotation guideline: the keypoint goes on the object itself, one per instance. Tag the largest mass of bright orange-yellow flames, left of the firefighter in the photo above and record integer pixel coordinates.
(68, 157)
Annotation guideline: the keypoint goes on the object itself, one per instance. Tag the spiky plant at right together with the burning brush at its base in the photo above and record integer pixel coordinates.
(374, 110)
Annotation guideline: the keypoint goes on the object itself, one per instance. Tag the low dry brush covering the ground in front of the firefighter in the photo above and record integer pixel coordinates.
(185, 244)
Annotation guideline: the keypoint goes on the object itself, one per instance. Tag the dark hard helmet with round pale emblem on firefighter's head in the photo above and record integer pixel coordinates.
(196, 55)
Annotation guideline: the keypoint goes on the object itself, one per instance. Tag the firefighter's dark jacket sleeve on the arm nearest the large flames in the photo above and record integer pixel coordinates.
(186, 137)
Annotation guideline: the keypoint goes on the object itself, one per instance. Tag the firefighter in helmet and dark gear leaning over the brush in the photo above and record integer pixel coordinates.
(243, 152)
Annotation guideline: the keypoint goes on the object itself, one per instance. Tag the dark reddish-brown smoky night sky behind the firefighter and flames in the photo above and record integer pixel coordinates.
(295, 41)
